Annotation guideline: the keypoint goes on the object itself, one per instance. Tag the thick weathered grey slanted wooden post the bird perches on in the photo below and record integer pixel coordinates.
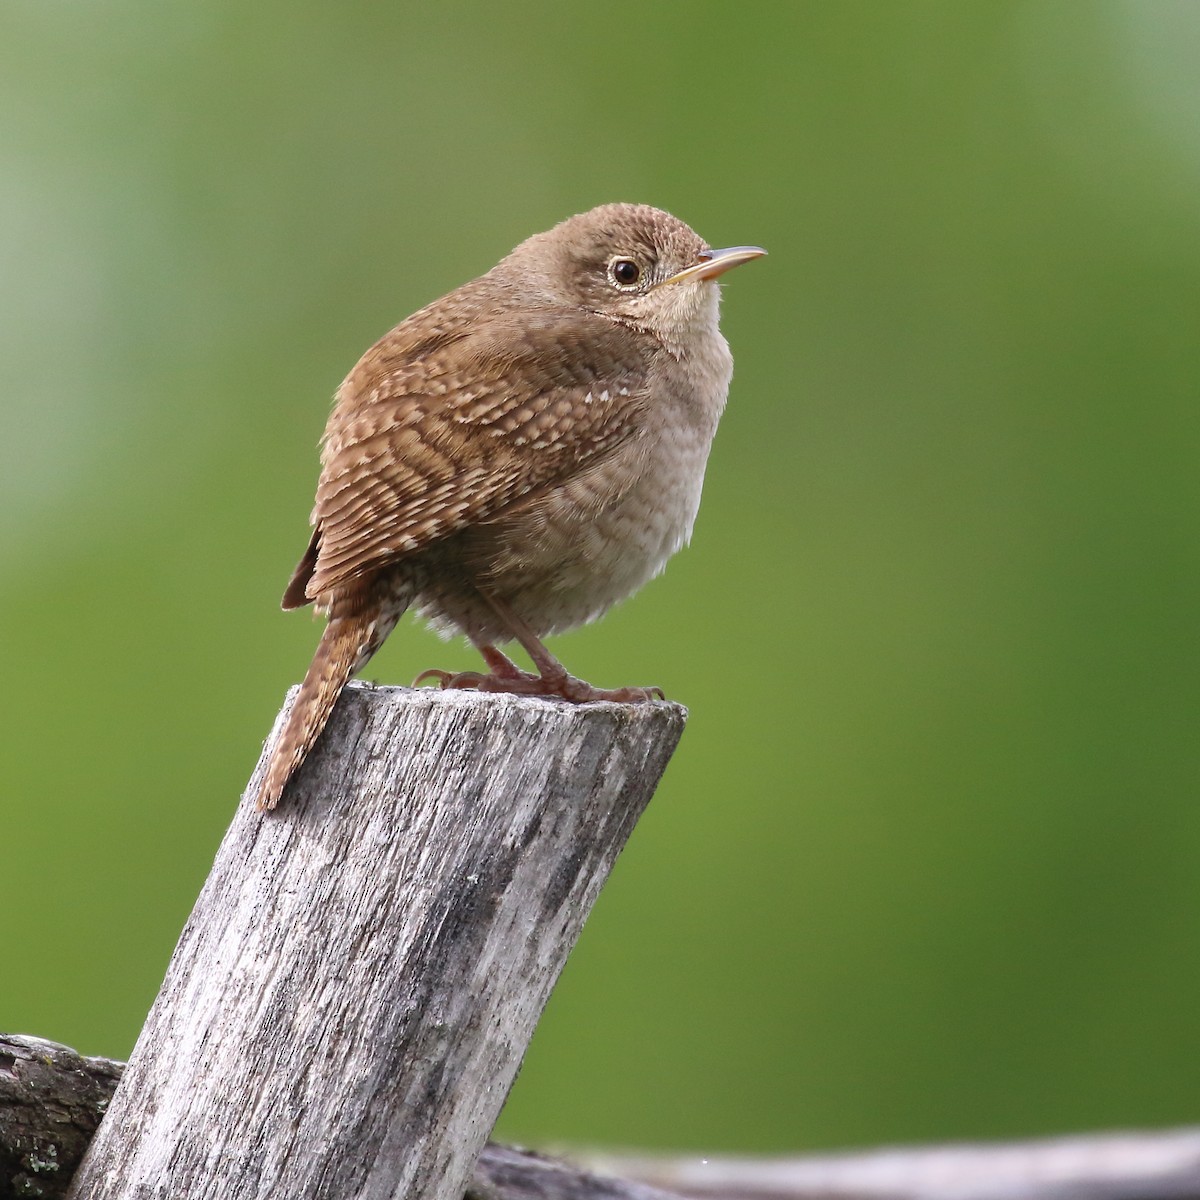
(351, 999)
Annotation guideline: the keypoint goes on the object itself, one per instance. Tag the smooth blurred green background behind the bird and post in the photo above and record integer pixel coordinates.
(926, 863)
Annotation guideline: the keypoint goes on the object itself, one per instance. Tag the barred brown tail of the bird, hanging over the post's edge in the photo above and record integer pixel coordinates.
(345, 647)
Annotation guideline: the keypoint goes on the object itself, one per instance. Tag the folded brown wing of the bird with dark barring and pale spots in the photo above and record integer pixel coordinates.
(424, 446)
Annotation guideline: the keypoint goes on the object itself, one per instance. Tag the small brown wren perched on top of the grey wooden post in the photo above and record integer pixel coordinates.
(517, 458)
